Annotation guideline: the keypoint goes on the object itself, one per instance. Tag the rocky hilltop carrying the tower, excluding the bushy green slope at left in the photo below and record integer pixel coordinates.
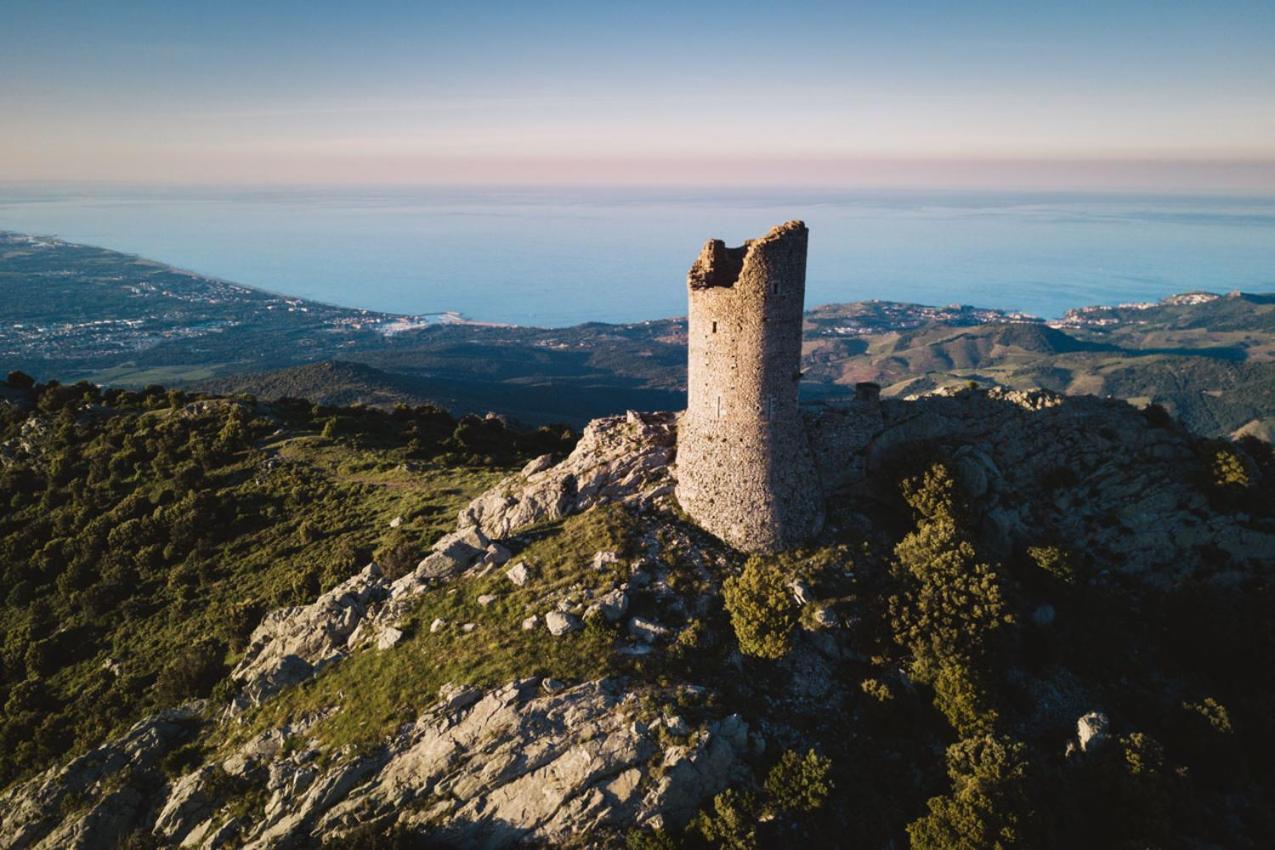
(718, 702)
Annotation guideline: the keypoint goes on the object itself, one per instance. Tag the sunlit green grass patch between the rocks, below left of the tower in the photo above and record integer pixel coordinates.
(373, 691)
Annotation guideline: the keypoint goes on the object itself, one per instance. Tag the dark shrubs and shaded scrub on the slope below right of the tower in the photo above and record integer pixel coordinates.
(971, 657)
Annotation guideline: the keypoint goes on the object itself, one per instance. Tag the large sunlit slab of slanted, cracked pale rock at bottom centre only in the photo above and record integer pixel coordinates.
(518, 764)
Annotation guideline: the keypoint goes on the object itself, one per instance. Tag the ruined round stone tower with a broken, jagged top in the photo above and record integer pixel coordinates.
(745, 471)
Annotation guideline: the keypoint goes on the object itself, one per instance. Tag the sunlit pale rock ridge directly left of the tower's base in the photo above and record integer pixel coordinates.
(620, 459)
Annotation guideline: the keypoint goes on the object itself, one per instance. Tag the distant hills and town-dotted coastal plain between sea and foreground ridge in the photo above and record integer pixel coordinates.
(123, 322)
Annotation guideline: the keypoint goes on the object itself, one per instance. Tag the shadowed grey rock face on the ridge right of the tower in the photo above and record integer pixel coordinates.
(1092, 473)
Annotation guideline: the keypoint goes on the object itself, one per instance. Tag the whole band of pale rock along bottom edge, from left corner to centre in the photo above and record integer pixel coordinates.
(518, 764)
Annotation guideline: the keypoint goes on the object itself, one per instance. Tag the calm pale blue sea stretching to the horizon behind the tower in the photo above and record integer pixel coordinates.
(557, 257)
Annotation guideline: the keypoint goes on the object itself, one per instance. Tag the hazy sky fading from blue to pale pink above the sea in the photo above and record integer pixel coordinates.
(1167, 95)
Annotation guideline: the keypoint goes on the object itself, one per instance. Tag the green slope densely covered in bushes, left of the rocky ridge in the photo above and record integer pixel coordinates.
(146, 533)
